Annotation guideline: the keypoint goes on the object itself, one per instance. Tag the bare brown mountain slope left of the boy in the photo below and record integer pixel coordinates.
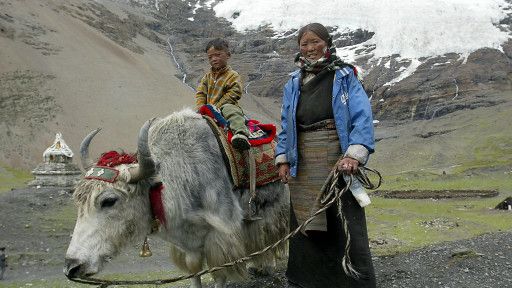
(61, 72)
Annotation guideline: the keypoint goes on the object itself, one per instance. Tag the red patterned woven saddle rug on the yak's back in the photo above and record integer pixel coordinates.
(238, 162)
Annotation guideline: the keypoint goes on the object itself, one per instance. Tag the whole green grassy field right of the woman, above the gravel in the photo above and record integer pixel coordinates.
(399, 221)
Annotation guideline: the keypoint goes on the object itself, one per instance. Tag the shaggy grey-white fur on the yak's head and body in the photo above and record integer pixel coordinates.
(203, 211)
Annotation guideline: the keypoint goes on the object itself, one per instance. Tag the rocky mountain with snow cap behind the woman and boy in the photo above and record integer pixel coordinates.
(416, 55)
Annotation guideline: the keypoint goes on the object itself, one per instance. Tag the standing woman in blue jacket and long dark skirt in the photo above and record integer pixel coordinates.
(326, 121)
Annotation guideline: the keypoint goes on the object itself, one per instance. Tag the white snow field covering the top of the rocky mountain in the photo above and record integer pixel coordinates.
(412, 30)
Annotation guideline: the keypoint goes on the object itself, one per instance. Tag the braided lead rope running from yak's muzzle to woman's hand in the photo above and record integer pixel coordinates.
(332, 195)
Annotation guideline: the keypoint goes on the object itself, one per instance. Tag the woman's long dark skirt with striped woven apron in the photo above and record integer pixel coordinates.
(315, 260)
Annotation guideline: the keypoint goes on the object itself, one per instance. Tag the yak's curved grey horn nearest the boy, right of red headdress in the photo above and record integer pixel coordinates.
(146, 167)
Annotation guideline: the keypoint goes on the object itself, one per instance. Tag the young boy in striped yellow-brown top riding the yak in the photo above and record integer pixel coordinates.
(222, 88)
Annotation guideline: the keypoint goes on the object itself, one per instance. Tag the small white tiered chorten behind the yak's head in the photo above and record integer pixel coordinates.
(57, 168)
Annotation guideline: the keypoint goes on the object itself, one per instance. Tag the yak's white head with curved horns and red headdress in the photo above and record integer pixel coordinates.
(113, 206)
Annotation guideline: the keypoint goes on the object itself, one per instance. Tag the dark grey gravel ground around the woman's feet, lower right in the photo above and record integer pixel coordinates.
(481, 262)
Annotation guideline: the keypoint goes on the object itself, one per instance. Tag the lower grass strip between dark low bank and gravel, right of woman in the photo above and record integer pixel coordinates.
(413, 224)
